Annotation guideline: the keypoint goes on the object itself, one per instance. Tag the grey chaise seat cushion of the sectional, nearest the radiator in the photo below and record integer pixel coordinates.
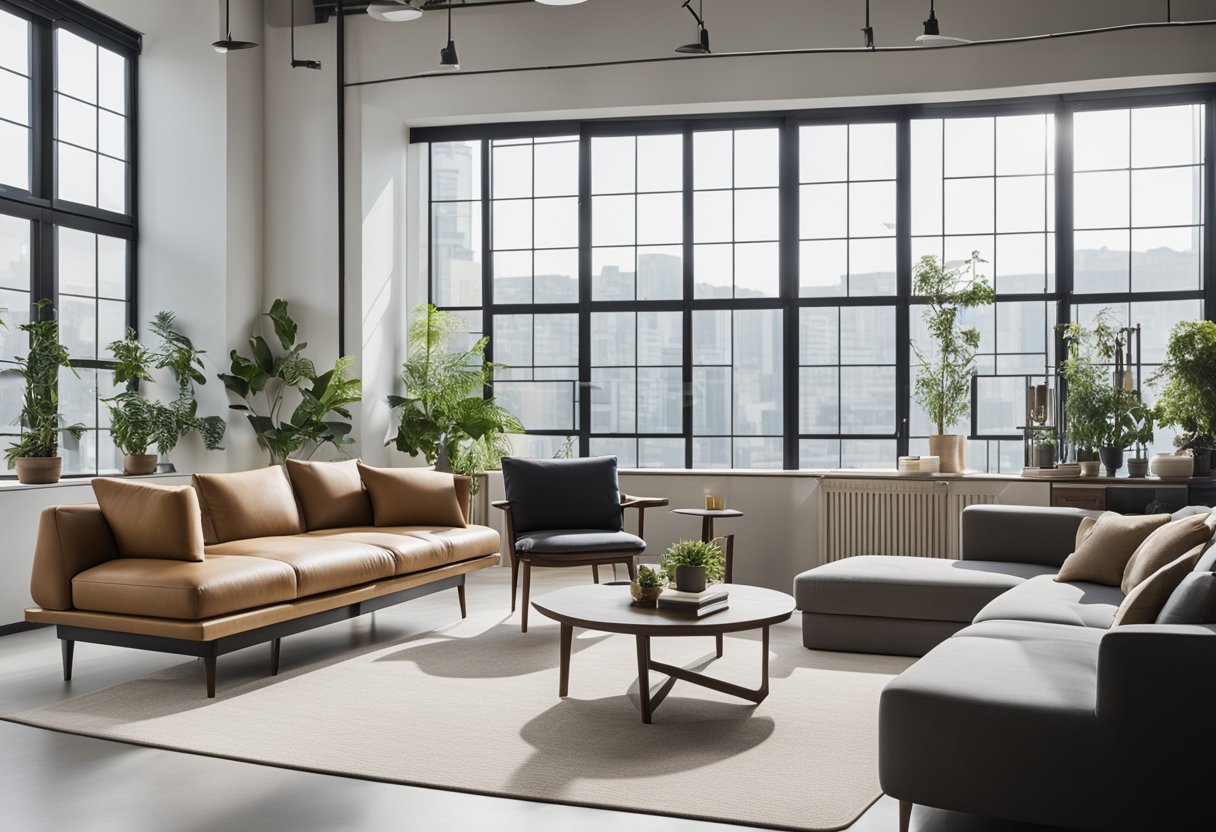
(919, 588)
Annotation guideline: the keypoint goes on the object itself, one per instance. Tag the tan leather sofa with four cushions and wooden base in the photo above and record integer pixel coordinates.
(278, 555)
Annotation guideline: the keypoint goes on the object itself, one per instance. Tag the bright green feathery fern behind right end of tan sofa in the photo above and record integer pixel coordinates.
(444, 415)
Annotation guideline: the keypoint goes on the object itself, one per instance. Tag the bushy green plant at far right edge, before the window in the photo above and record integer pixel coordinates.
(1187, 400)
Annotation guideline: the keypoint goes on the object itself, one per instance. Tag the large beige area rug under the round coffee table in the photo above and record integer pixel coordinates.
(474, 707)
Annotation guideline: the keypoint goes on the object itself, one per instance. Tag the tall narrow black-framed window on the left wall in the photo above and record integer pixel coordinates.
(69, 231)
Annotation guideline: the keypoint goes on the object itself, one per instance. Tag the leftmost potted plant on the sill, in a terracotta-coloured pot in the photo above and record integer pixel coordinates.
(36, 452)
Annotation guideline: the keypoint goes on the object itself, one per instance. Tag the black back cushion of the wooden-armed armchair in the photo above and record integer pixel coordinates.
(564, 494)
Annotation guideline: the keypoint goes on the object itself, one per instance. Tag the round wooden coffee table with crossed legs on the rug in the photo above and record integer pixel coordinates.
(610, 610)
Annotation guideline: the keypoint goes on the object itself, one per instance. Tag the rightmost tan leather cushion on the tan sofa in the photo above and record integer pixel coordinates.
(408, 497)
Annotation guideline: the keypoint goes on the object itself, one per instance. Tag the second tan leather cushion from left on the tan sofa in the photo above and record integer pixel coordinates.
(249, 504)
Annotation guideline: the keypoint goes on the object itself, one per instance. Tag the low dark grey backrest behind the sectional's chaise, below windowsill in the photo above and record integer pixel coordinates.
(1020, 535)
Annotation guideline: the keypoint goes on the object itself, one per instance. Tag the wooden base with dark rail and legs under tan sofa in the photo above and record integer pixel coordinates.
(211, 650)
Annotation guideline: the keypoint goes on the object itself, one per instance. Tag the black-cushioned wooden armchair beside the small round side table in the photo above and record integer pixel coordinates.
(565, 514)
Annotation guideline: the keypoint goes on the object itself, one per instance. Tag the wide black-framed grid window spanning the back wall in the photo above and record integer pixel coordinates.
(744, 293)
